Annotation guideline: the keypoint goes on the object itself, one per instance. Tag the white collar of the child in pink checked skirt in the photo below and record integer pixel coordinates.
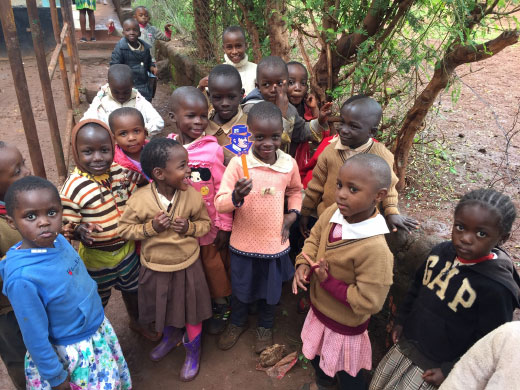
(373, 226)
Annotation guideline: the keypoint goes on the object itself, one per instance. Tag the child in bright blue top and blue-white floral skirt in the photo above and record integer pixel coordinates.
(70, 342)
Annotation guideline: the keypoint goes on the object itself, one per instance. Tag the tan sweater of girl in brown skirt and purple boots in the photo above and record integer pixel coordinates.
(167, 251)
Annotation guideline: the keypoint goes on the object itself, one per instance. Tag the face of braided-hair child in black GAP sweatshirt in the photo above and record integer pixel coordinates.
(476, 230)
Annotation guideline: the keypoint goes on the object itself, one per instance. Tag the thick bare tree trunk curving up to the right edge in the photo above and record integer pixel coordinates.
(444, 69)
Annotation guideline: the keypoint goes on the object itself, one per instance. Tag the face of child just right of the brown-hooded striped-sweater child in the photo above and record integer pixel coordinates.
(129, 134)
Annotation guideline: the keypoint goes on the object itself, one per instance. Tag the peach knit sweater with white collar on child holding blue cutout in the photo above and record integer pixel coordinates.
(257, 226)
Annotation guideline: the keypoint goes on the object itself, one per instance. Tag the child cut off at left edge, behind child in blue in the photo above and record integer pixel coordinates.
(12, 348)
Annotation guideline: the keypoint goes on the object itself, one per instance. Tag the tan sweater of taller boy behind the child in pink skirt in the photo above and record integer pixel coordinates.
(321, 190)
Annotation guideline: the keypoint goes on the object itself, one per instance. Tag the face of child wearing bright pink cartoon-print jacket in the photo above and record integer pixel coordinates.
(191, 118)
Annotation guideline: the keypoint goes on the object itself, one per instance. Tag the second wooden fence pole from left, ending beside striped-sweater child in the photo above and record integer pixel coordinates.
(48, 99)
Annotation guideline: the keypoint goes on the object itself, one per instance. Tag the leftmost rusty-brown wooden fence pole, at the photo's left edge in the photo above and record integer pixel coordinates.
(20, 85)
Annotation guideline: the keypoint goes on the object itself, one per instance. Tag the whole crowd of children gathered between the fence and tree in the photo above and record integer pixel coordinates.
(175, 225)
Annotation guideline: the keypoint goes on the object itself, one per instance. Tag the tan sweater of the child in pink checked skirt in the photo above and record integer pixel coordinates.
(365, 265)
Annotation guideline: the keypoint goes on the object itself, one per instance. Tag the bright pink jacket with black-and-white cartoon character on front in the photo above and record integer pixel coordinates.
(206, 160)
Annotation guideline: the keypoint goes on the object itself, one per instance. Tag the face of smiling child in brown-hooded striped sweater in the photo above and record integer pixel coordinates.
(94, 149)
